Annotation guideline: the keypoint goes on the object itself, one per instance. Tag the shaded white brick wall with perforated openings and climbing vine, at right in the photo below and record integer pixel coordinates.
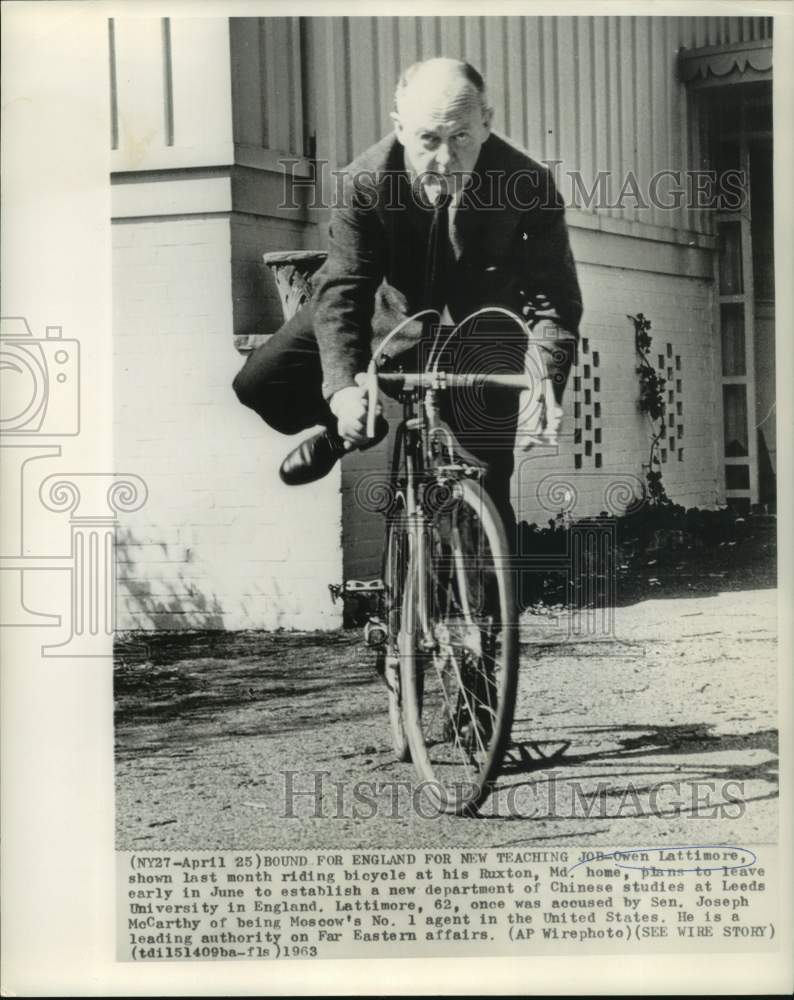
(680, 310)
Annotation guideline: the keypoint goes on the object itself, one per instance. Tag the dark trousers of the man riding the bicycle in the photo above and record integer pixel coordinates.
(282, 382)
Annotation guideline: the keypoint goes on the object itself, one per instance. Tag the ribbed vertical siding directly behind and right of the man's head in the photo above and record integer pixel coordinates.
(597, 93)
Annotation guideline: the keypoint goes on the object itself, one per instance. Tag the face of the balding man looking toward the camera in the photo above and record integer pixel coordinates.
(442, 132)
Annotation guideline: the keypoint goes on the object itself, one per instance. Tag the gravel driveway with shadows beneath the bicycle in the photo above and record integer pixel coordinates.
(665, 732)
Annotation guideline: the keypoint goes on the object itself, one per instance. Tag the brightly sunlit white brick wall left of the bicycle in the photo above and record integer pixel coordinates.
(220, 542)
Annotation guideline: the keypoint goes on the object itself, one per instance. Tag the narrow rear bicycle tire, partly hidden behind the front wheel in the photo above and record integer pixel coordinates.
(395, 565)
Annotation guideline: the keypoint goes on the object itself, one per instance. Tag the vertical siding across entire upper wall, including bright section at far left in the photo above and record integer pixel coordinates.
(598, 93)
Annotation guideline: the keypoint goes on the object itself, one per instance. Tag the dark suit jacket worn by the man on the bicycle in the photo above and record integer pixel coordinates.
(510, 229)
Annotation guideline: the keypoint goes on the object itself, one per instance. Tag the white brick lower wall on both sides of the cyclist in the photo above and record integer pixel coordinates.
(221, 543)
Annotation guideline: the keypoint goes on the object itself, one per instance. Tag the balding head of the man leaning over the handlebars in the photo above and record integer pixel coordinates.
(441, 118)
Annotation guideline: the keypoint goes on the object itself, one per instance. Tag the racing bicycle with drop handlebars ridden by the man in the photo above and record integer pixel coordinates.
(449, 638)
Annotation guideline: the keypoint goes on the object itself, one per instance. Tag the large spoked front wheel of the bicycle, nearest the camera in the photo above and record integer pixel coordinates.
(459, 649)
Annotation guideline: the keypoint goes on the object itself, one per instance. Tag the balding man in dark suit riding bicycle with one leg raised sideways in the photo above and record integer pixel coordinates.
(441, 215)
